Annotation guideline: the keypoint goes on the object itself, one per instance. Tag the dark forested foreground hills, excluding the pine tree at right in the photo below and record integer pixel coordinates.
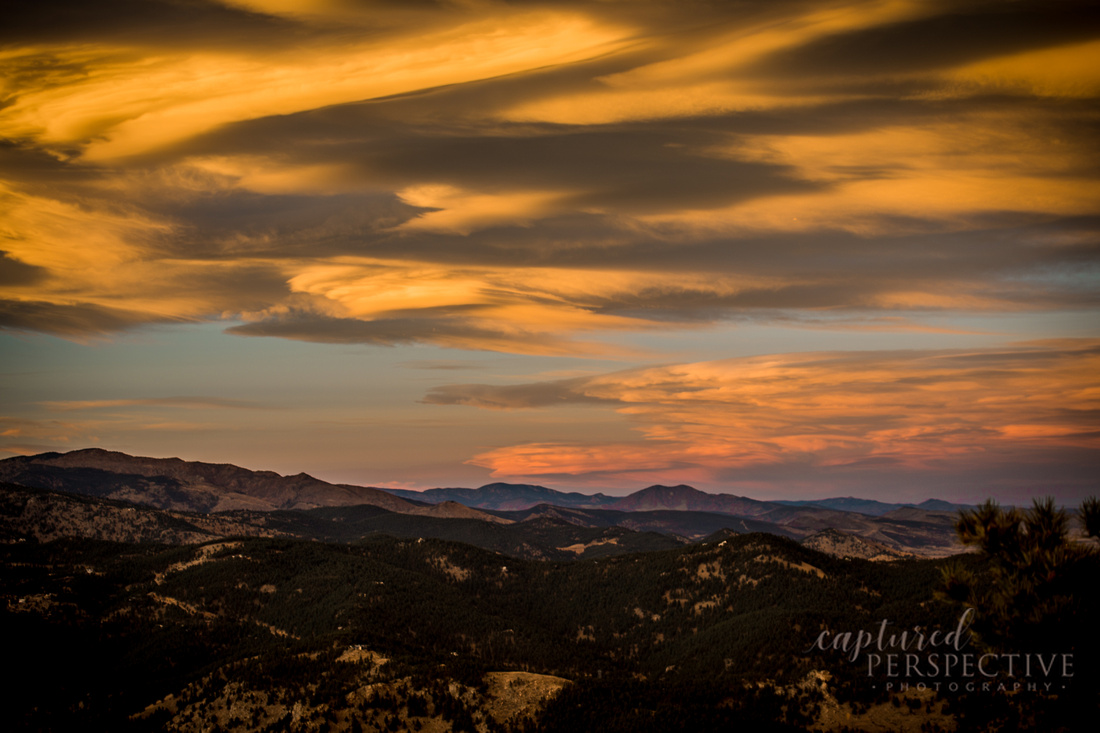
(255, 628)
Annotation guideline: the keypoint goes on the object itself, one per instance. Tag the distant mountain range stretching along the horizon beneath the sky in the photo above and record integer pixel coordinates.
(525, 520)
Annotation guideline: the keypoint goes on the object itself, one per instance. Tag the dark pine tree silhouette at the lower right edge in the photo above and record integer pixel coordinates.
(1035, 593)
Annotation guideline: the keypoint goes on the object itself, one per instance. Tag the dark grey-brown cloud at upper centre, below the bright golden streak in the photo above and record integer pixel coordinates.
(625, 168)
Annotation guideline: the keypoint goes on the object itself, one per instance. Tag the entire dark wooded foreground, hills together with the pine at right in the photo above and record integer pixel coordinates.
(343, 619)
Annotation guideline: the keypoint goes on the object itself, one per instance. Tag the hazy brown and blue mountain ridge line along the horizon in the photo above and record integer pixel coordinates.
(680, 512)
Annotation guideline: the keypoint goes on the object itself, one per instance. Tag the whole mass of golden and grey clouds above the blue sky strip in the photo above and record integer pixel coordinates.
(535, 178)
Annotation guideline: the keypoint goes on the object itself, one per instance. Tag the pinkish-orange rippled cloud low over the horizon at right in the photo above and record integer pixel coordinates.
(912, 411)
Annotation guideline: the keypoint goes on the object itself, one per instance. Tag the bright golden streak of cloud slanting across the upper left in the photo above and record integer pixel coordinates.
(130, 103)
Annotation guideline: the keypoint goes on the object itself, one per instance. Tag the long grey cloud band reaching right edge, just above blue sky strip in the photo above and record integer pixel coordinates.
(830, 270)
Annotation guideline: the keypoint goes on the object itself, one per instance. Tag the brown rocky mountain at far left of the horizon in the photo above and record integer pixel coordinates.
(172, 484)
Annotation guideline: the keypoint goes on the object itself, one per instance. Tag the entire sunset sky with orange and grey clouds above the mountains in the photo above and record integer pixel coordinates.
(785, 249)
